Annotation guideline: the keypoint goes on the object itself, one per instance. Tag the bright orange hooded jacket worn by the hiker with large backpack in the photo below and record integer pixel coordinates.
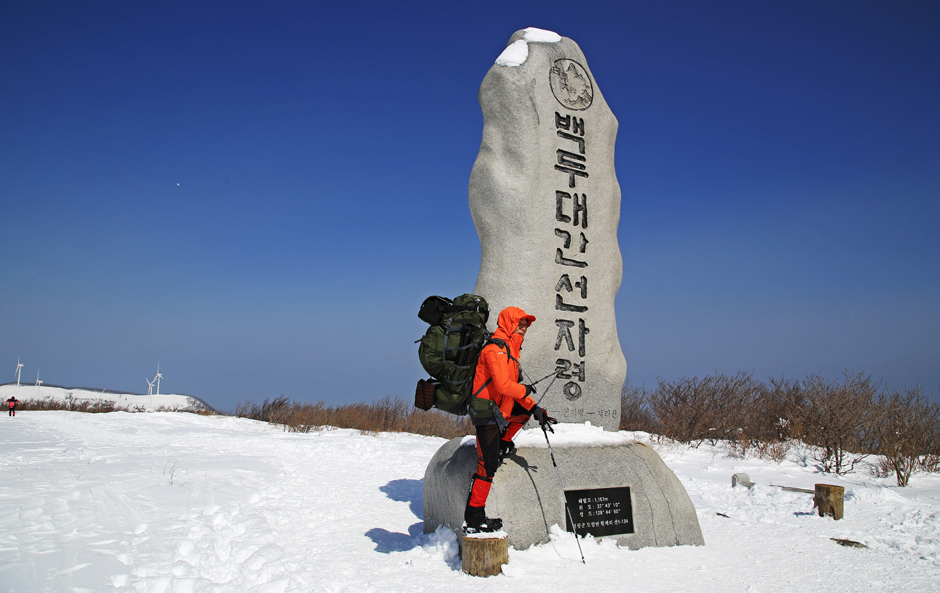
(504, 389)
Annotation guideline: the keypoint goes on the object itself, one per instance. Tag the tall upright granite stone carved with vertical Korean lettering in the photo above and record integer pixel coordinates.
(546, 204)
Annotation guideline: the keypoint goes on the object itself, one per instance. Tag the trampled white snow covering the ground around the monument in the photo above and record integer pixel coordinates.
(181, 502)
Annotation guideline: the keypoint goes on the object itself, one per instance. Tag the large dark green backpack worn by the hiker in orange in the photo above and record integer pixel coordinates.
(449, 351)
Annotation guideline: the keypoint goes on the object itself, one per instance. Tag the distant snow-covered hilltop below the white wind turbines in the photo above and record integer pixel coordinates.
(122, 401)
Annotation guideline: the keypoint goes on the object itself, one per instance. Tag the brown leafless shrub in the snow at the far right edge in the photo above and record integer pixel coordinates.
(908, 431)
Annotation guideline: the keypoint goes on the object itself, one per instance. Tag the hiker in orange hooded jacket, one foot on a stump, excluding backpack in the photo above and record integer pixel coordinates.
(501, 407)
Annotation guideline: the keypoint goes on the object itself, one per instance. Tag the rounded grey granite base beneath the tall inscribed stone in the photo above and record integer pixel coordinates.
(615, 488)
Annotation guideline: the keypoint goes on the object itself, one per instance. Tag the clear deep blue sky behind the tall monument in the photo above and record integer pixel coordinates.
(251, 194)
